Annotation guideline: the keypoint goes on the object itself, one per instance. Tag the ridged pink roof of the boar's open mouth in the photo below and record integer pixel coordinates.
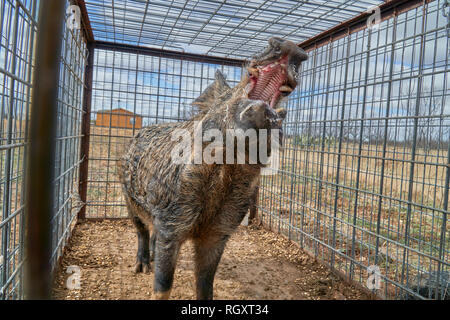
(267, 86)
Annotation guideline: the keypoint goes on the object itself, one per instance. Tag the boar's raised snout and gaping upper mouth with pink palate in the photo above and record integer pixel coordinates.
(272, 74)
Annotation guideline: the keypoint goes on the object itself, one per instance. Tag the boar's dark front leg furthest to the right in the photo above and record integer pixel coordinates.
(207, 257)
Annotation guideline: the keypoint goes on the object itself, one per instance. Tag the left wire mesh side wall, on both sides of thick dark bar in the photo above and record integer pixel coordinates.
(18, 25)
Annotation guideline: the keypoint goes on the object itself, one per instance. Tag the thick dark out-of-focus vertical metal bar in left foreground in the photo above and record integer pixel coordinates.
(41, 168)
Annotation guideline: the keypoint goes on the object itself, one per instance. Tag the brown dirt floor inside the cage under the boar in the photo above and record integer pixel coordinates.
(257, 264)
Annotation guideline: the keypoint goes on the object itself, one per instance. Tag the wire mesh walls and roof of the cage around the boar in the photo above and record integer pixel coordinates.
(363, 184)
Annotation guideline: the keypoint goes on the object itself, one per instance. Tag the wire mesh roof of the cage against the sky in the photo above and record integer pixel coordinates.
(223, 28)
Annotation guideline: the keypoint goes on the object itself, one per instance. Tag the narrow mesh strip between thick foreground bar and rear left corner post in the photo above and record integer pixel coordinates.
(68, 136)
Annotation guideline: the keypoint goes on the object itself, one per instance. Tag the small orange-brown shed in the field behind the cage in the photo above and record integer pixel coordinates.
(118, 118)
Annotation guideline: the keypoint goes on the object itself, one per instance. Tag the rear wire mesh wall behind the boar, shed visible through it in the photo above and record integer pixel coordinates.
(131, 91)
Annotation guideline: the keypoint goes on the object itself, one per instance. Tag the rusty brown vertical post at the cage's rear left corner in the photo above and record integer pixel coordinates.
(86, 129)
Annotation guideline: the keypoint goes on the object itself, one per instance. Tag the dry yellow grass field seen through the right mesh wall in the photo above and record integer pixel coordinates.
(336, 218)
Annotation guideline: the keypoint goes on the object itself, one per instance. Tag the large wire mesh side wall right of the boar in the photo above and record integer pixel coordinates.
(364, 179)
